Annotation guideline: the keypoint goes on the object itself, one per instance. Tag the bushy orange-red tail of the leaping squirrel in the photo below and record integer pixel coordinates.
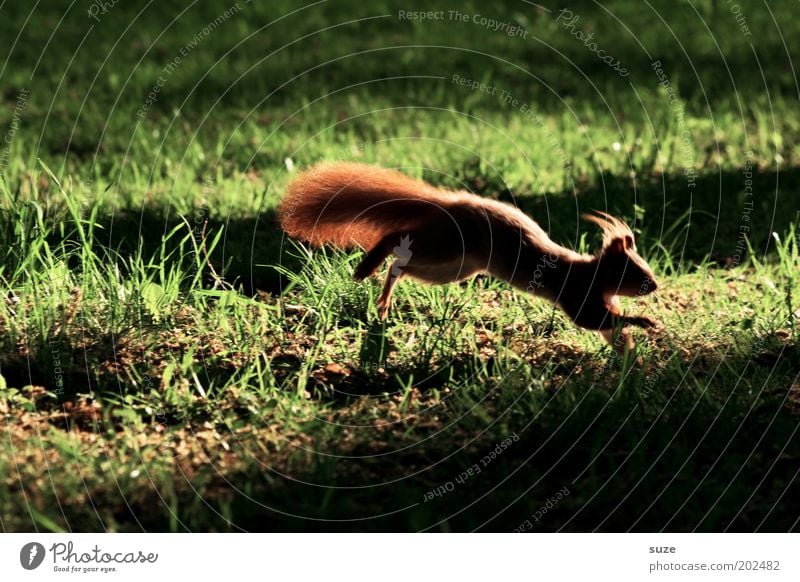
(347, 204)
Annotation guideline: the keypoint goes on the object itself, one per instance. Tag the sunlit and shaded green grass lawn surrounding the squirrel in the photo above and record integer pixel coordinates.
(169, 361)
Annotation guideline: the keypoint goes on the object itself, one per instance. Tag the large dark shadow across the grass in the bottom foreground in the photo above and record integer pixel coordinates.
(625, 461)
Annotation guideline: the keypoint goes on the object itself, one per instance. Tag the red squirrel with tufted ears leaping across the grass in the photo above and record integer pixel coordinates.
(441, 236)
